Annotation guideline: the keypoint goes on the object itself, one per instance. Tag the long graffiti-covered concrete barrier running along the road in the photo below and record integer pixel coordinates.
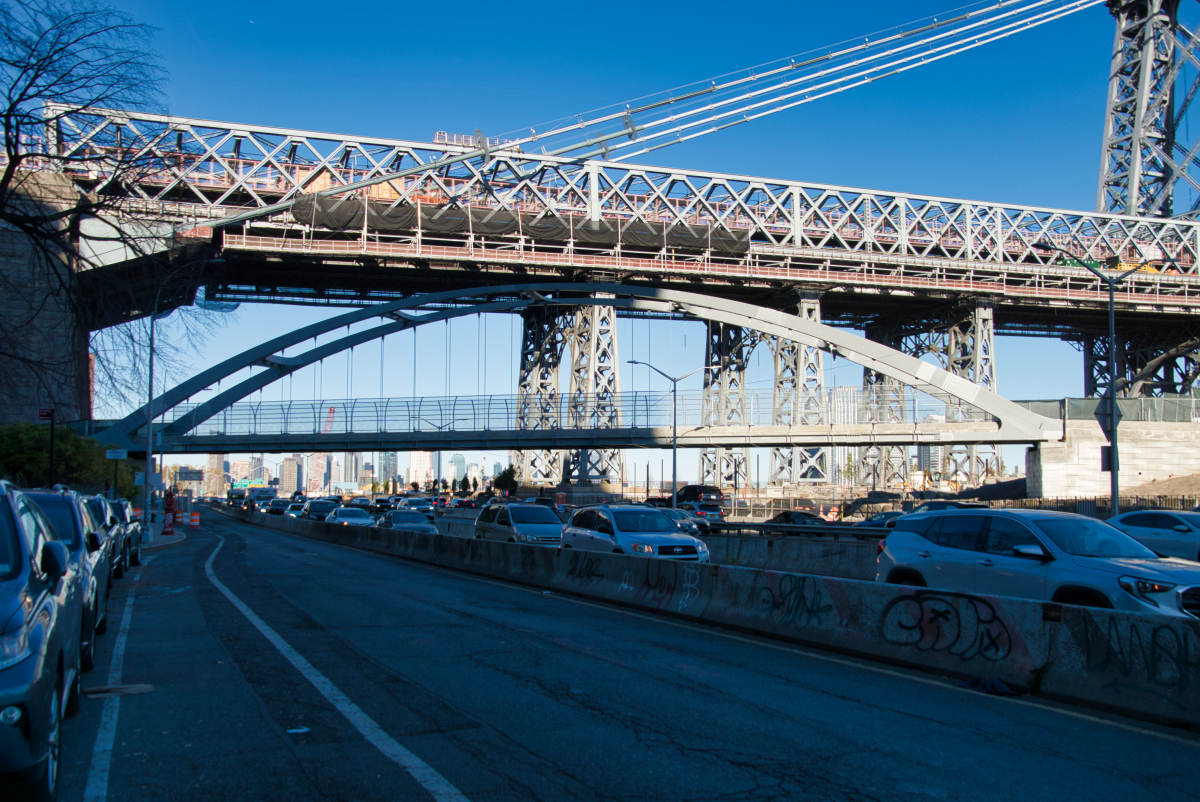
(1139, 666)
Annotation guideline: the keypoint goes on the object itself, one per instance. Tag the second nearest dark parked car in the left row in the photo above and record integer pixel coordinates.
(88, 554)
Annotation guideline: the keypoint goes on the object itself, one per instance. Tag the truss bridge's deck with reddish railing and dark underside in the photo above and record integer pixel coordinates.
(856, 288)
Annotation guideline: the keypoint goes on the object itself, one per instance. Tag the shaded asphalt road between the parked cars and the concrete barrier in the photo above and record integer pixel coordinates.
(511, 693)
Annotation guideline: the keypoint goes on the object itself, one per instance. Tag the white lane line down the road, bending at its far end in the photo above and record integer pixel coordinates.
(439, 787)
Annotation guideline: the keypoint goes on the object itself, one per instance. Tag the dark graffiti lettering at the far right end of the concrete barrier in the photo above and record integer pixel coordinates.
(1148, 657)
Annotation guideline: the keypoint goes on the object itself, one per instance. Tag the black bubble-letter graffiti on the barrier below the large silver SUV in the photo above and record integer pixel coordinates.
(940, 621)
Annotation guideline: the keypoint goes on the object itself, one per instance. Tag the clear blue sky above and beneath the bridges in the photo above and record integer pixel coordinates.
(1016, 122)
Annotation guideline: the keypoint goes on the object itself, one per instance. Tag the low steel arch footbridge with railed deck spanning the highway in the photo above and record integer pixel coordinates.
(587, 421)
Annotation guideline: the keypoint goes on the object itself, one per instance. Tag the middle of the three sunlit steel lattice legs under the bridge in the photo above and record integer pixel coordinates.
(800, 399)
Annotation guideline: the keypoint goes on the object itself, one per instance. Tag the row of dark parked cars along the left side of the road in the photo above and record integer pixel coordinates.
(59, 555)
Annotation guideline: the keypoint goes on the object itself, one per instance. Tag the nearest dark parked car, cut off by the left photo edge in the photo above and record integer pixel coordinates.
(41, 626)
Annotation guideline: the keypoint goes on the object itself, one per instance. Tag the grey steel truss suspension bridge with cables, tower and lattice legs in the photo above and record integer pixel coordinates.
(310, 218)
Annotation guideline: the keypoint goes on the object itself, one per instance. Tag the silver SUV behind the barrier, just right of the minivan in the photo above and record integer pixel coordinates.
(644, 532)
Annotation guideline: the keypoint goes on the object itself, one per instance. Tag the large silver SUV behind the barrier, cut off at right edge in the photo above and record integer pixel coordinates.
(1037, 555)
